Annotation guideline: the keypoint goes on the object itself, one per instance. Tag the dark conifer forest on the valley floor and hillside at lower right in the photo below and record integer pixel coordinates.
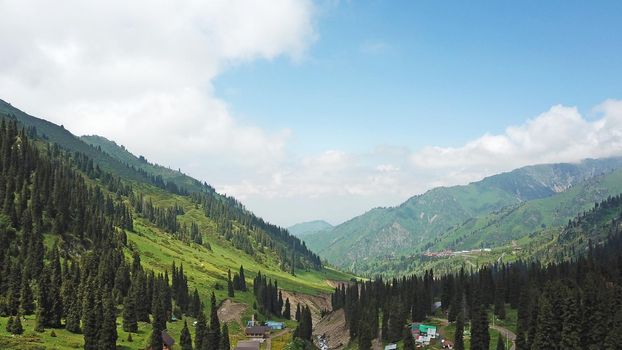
(572, 304)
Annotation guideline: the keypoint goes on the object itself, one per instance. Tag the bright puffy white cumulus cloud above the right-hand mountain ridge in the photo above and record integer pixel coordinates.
(560, 134)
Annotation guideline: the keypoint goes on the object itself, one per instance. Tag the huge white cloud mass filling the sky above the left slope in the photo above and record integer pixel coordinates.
(140, 72)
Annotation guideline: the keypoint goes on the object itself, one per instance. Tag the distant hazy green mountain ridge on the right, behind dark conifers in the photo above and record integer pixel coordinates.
(414, 226)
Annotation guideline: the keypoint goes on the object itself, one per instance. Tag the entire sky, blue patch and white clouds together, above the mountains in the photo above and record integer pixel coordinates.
(325, 109)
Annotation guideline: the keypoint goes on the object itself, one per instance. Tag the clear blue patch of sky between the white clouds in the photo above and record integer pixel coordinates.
(419, 73)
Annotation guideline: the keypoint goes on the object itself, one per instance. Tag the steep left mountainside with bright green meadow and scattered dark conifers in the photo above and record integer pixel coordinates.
(88, 223)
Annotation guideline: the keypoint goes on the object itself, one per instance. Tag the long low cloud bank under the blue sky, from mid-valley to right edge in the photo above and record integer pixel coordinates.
(390, 175)
